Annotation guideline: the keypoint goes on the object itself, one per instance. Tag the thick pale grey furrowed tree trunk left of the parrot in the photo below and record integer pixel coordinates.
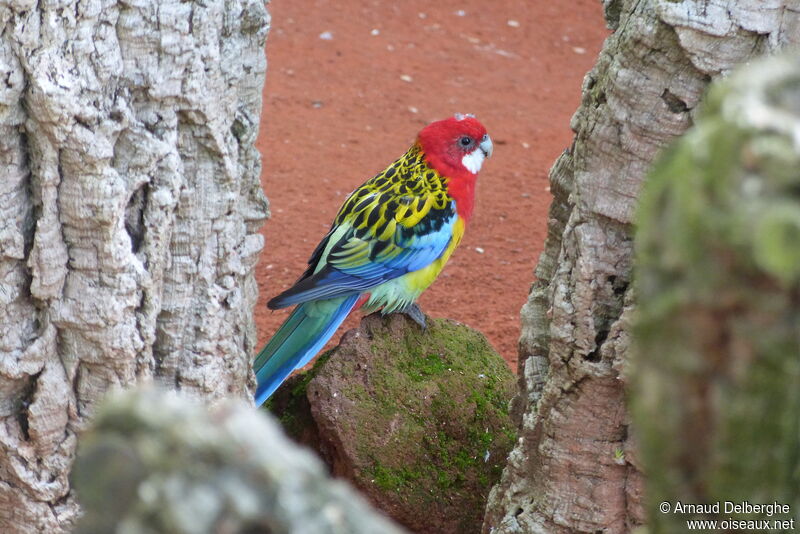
(129, 202)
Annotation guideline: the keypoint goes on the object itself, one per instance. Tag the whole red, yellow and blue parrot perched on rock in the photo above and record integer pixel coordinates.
(388, 243)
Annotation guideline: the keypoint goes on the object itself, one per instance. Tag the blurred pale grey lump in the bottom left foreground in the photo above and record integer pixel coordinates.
(156, 462)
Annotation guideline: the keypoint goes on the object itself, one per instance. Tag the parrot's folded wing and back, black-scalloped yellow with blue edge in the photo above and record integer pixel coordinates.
(396, 222)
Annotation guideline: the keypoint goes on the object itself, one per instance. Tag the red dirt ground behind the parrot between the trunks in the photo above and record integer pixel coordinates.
(338, 110)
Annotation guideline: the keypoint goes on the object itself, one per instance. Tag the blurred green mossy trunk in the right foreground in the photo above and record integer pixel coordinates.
(716, 371)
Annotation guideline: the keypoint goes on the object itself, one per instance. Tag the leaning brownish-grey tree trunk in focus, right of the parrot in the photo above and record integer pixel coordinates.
(574, 468)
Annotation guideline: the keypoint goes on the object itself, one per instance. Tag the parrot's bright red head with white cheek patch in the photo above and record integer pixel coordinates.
(456, 148)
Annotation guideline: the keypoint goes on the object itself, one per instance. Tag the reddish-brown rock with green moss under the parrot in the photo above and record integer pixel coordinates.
(418, 420)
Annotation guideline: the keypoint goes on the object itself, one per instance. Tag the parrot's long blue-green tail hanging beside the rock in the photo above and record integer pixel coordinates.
(297, 341)
